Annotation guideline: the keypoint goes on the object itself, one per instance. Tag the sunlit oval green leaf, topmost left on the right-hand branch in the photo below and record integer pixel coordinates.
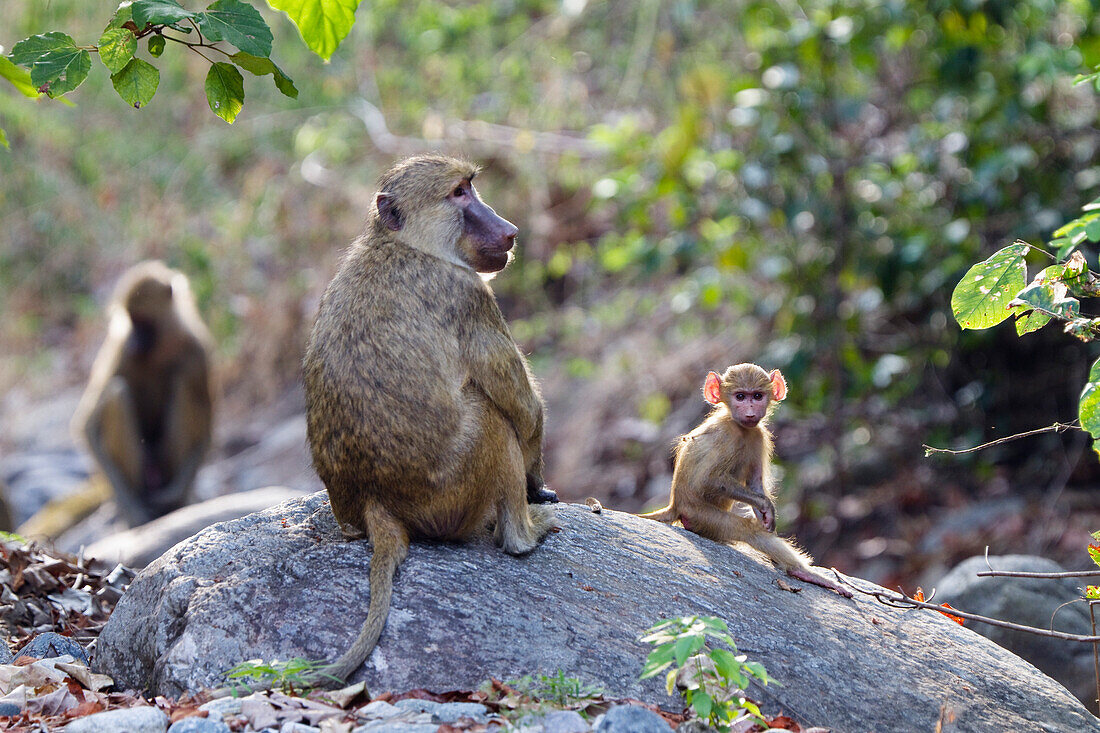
(982, 298)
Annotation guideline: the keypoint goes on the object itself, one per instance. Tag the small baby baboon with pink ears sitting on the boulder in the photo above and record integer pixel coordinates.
(728, 460)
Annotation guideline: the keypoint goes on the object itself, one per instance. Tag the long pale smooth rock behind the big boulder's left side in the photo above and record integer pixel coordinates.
(138, 548)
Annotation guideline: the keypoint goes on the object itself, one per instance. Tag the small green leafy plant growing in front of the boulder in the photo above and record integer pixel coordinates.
(716, 686)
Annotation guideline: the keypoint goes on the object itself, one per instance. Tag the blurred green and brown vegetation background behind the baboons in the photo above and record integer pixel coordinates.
(799, 184)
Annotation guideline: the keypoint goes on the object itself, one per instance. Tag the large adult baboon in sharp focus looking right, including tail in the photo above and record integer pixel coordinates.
(423, 415)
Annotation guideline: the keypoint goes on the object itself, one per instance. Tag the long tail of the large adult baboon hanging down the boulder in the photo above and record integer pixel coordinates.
(391, 545)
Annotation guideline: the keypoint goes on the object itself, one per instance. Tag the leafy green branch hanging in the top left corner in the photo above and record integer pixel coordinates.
(58, 65)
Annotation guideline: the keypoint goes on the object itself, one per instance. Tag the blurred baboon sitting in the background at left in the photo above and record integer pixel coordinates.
(148, 411)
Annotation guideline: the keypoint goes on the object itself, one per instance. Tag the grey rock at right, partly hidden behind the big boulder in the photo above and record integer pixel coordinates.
(1032, 603)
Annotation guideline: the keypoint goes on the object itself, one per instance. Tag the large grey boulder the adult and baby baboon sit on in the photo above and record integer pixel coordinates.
(282, 584)
